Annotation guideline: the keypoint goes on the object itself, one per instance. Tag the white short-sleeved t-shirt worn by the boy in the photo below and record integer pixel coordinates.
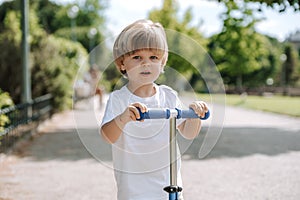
(141, 154)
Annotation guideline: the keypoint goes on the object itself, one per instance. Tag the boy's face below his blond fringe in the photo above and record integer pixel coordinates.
(143, 66)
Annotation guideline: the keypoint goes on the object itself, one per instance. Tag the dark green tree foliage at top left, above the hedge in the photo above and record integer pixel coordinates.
(56, 20)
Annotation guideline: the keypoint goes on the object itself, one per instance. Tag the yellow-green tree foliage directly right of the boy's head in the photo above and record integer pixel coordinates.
(177, 30)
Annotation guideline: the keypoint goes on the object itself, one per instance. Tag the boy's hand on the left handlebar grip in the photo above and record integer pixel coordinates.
(131, 113)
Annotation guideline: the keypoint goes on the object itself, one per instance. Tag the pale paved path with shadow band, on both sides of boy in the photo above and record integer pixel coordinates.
(256, 157)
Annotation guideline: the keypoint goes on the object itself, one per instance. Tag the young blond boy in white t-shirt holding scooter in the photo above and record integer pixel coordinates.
(140, 148)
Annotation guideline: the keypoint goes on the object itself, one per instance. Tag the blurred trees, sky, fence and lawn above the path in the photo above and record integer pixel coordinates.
(260, 69)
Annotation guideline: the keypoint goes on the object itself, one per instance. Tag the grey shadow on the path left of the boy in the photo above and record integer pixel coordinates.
(67, 145)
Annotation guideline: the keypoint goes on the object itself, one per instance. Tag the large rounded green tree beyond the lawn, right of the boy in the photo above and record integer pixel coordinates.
(238, 50)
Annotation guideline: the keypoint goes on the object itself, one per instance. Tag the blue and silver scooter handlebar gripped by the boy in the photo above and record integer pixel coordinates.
(165, 113)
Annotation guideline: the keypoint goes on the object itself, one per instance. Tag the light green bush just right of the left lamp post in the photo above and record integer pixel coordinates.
(58, 73)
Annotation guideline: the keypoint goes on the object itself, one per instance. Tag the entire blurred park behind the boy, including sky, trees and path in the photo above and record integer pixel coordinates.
(46, 154)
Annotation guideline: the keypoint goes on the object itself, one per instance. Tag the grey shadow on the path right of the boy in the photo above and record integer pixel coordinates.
(247, 141)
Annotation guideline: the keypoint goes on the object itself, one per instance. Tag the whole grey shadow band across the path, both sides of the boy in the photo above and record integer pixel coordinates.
(234, 142)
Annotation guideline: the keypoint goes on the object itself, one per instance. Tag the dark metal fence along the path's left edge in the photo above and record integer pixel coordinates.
(21, 116)
